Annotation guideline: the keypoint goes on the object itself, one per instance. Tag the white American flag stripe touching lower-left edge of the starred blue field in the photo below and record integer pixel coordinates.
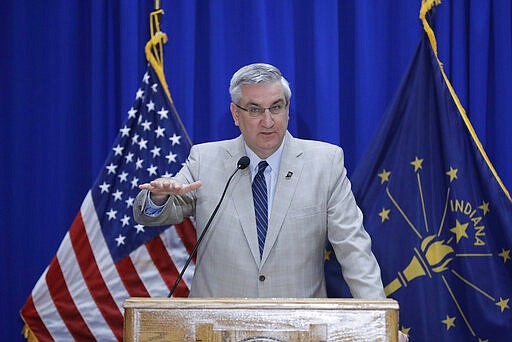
(101, 253)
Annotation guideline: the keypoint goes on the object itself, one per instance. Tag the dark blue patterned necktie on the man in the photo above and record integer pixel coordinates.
(259, 194)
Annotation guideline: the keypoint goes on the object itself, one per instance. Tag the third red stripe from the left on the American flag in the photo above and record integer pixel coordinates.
(93, 278)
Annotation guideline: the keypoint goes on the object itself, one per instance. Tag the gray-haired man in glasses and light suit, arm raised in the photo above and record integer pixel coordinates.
(268, 241)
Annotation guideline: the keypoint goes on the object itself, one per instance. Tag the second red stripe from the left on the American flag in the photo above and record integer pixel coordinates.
(65, 304)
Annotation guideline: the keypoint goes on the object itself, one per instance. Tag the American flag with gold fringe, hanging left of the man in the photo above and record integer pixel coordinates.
(106, 256)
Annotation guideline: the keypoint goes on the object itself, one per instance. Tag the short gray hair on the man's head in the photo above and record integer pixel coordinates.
(257, 73)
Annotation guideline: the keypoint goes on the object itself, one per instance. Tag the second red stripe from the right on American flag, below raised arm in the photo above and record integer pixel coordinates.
(165, 266)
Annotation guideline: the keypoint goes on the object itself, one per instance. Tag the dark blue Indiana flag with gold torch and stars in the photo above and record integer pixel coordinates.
(439, 216)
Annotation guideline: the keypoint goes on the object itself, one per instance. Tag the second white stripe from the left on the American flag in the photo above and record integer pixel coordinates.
(80, 293)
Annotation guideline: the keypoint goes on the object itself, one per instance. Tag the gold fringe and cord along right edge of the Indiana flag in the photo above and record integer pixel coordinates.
(427, 5)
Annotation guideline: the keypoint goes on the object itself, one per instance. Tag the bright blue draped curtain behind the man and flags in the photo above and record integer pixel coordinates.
(69, 72)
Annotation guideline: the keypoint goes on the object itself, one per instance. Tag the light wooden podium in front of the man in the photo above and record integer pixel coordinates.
(222, 319)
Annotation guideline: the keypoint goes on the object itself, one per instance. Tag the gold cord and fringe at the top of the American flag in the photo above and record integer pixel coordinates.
(155, 56)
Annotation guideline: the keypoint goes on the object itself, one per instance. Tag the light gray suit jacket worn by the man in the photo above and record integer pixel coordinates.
(313, 205)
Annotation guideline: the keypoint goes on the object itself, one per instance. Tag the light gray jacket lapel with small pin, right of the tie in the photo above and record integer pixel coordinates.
(289, 174)
